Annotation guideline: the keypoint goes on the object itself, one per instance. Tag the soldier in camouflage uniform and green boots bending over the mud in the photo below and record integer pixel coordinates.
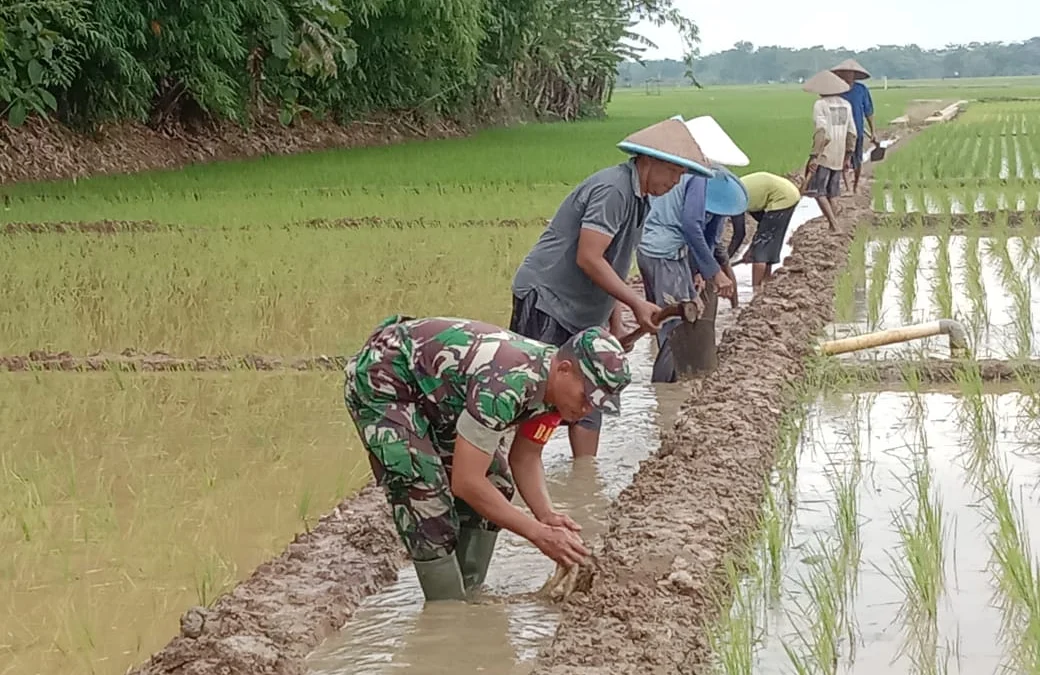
(434, 401)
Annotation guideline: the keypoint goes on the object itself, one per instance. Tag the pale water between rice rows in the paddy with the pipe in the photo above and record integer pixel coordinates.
(912, 292)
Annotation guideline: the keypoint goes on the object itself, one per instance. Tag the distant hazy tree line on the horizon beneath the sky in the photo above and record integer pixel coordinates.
(747, 65)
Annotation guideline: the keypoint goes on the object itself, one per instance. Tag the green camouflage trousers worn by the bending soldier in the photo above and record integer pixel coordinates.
(414, 472)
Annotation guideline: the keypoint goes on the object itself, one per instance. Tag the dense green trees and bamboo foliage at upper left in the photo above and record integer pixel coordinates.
(174, 61)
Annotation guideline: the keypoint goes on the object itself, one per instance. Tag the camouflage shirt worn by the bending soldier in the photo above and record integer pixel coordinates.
(467, 377)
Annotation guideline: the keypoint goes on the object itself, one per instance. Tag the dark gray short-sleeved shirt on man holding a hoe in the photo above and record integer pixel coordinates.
(609, 202)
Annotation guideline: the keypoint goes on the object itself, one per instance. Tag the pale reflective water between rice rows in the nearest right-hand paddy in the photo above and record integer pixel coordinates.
(877, 434)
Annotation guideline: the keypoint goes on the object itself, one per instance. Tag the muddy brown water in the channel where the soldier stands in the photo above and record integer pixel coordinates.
(395, 633)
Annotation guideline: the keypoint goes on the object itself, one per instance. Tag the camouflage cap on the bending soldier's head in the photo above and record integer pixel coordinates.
(603, 361)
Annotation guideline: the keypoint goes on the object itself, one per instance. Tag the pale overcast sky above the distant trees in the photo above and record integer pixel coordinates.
(927, 23)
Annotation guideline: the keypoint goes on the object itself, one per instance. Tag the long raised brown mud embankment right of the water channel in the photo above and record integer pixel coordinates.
(660, 567)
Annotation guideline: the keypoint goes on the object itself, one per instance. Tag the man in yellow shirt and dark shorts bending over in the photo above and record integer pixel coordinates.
(772, 201)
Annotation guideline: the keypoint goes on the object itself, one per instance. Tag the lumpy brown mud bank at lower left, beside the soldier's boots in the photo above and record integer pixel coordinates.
(271, 621)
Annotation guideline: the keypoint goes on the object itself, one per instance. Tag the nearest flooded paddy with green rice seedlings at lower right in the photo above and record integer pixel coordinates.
(897, 538)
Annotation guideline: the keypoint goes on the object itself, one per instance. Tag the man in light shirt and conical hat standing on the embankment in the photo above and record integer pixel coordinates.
(834, 142)
